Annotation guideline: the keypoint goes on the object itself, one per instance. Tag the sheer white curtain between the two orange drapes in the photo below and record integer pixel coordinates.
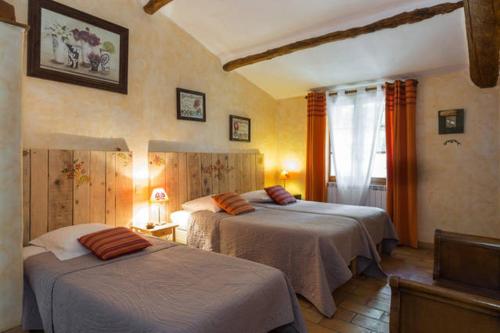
(354, 122)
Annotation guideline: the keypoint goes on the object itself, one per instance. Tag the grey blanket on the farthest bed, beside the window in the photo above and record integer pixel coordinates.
(376, 220)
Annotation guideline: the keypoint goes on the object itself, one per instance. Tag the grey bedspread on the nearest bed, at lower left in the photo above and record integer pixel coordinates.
(165, 288)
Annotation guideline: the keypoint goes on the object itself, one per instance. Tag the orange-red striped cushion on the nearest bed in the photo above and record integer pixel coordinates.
(111, 243)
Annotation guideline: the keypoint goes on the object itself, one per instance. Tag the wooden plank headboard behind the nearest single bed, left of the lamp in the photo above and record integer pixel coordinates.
(64, 187)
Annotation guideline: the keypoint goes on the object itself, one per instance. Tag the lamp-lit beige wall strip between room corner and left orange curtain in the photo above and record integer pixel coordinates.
(292, 141)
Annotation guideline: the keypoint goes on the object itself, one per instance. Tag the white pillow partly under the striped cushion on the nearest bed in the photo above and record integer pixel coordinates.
(63, 242)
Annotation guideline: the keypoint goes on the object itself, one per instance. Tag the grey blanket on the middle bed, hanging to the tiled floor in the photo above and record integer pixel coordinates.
(313, 250)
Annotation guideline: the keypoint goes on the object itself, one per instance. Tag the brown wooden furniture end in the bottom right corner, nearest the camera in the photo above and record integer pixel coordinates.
(420, 308)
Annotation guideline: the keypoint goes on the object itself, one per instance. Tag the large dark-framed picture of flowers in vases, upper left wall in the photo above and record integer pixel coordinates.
(67, 45)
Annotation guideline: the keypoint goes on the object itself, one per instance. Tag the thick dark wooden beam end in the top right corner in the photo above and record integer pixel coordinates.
(483, 41)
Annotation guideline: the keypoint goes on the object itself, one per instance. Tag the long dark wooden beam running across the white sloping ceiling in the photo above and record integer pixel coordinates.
(414, 16)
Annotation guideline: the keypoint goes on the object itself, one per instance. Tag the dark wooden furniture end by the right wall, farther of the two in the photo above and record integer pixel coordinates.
(465, 259)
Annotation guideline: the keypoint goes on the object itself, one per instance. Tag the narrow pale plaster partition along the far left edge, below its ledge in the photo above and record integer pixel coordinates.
(11, 39)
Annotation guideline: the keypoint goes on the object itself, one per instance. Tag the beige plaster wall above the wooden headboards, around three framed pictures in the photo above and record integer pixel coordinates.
(161, 58)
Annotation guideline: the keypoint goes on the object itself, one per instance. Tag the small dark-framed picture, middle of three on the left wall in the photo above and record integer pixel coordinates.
(191, 105)
